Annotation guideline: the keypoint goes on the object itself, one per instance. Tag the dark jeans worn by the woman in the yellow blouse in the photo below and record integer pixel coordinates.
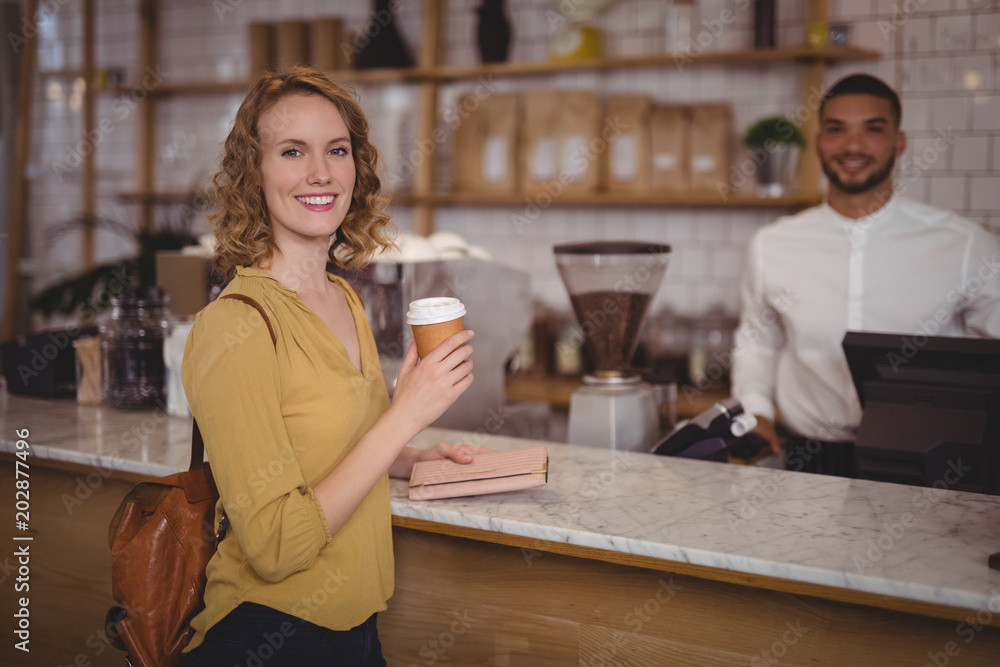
(253, 635)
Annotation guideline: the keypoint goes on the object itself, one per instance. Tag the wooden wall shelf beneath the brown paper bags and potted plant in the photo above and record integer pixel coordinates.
(695, 199)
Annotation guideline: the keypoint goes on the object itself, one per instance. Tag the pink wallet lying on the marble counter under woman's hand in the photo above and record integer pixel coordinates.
(493, 472)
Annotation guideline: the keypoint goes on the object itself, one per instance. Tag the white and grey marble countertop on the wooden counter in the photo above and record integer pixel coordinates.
(917, 544)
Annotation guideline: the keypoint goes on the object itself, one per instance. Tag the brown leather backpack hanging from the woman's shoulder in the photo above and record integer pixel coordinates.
(161, 540)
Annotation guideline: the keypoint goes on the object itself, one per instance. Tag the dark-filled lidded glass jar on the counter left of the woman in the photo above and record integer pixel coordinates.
(134, 374)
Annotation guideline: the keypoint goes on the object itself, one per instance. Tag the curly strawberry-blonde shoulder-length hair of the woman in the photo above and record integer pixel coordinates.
(241, 220)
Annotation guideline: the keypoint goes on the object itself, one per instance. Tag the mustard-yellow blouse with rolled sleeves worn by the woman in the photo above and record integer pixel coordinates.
(275, 422)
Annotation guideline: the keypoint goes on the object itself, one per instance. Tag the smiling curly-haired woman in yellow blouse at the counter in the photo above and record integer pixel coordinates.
(289, 395)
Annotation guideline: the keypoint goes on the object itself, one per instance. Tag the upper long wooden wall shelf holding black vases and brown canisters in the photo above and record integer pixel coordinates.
(459, 72)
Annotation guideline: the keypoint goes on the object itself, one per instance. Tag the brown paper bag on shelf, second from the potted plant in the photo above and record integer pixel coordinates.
(670, 149)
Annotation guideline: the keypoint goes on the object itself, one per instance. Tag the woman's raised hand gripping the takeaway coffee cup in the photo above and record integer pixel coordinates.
(428, 387)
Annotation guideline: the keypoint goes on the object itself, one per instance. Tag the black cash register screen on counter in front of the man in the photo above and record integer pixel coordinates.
(931, 410)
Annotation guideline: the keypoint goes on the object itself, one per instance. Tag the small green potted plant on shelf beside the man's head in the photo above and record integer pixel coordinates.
(774, 144)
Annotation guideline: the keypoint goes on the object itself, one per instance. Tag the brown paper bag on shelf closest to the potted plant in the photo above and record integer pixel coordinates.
(711, 146)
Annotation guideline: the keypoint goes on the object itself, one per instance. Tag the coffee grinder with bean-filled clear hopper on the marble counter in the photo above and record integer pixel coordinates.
(611, 285)
